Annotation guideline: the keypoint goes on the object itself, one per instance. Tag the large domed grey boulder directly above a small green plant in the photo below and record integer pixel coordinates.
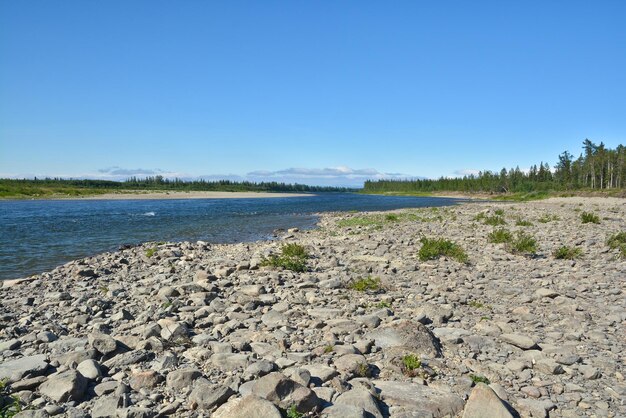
(406, 336)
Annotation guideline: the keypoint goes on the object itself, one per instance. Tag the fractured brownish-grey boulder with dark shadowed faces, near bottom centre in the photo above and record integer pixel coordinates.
(285, 393)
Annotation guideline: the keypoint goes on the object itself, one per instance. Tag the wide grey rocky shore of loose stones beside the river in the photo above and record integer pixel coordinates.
(367, 330)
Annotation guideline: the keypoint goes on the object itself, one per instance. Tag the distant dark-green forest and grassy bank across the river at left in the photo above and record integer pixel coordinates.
(15, 188)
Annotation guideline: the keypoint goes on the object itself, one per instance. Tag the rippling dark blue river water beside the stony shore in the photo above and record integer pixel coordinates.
(38, 235)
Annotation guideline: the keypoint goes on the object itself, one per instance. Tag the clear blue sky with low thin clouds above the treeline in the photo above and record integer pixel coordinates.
(316, 92)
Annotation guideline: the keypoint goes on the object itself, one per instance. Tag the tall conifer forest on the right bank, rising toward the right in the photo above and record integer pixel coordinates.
(597, 168)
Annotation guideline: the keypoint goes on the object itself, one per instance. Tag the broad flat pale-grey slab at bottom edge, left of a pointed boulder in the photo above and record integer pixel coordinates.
(401, 398)
